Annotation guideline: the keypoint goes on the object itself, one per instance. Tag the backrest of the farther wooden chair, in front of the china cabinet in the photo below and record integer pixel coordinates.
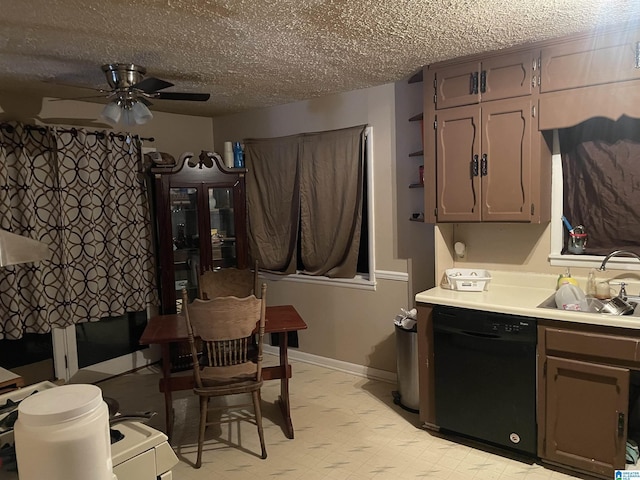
(226, 282)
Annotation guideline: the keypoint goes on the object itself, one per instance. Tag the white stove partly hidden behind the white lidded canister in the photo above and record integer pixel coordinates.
(142, 454)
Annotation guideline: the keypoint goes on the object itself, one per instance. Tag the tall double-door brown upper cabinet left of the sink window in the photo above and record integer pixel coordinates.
(489, 164)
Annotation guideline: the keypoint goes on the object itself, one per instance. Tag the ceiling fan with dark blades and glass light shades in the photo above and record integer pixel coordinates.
(130, 94)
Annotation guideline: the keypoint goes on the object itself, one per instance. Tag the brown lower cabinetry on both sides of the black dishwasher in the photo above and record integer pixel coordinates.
(588, 387)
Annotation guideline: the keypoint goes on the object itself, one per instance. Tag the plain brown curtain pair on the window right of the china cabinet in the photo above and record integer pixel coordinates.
(311, 183)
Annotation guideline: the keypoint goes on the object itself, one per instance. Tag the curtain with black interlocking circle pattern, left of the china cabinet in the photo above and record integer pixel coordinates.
(81, 193)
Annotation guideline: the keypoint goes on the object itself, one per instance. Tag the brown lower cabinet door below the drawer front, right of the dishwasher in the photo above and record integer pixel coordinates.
(585, 415)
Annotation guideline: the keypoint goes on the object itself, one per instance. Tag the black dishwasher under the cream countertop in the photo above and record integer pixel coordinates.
(485, 376)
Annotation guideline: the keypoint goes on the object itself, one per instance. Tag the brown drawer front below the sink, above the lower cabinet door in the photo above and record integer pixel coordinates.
(593, 344)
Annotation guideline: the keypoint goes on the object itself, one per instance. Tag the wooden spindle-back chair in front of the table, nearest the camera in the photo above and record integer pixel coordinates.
(226, 326)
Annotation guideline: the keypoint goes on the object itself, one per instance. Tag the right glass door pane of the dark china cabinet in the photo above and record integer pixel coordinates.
(222, 221)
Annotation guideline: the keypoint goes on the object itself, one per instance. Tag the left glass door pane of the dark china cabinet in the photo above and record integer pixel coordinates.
(186, 238)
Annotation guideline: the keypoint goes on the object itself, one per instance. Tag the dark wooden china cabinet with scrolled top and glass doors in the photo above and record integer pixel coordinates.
(201, 222)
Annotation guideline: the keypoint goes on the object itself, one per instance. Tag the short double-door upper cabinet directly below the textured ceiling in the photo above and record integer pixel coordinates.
(493, 78)
